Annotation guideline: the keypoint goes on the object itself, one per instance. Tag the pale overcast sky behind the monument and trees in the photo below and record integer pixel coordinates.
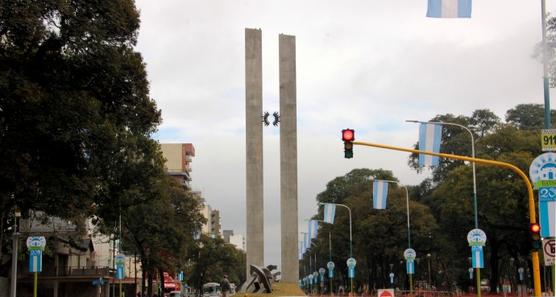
(367, 65)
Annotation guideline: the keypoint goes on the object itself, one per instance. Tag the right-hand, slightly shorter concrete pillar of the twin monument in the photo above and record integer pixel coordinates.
(288, 159)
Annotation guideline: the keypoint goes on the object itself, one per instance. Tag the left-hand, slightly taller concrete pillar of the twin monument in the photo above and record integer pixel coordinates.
(254, 148)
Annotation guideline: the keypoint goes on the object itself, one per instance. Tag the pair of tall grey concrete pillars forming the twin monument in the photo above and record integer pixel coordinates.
(288, 154)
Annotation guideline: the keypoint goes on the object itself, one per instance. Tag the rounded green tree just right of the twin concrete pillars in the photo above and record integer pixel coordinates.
(379, 236)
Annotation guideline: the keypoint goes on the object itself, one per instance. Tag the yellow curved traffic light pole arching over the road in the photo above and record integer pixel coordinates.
(532, 212)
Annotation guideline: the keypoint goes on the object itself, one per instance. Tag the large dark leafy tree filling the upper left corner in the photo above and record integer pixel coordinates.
(75, 111)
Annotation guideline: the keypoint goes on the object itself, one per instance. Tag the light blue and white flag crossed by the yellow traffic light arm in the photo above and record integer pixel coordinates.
(430, 136)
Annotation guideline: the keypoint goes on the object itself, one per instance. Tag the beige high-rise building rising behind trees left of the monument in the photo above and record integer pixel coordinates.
(178, 160)
